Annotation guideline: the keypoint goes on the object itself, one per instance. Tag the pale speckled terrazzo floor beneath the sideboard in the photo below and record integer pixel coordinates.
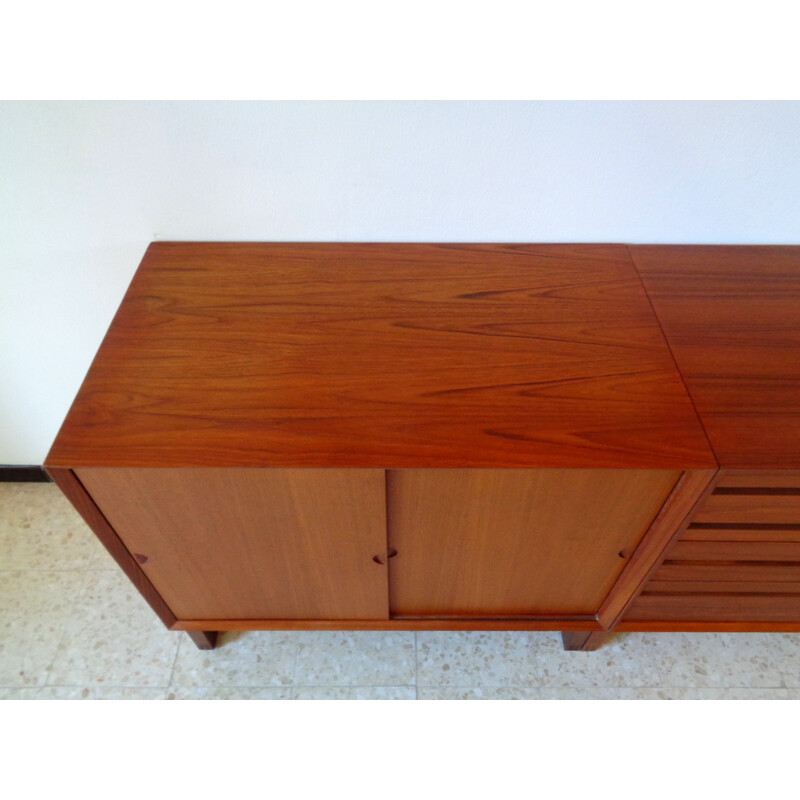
(72, 627)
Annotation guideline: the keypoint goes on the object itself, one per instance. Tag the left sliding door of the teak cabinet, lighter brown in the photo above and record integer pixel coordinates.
(253, 543)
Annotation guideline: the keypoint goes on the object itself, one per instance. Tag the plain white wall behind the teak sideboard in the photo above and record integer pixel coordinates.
(84, 187)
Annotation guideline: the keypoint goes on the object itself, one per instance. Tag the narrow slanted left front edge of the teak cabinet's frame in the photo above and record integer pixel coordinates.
(83, 503)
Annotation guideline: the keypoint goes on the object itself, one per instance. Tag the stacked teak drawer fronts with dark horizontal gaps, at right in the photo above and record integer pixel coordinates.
(739, 558)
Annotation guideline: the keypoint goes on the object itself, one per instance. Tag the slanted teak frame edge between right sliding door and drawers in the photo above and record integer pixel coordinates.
(689, 493)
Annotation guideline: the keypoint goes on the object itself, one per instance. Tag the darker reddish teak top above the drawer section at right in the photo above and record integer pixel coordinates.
(732, 318)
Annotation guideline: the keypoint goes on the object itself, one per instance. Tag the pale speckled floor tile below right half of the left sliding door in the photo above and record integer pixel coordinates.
(355, 658)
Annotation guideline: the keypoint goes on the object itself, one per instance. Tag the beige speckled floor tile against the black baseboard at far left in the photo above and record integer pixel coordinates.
(40, 530)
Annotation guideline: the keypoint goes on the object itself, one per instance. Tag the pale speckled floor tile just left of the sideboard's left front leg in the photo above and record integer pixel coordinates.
(114, 638)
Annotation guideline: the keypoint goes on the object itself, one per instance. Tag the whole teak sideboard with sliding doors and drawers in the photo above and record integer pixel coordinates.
(584, 438)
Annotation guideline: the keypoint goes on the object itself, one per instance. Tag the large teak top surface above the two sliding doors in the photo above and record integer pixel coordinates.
(384, 355)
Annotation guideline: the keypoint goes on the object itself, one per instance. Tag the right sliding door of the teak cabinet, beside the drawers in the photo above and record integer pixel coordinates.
(507, 542)
